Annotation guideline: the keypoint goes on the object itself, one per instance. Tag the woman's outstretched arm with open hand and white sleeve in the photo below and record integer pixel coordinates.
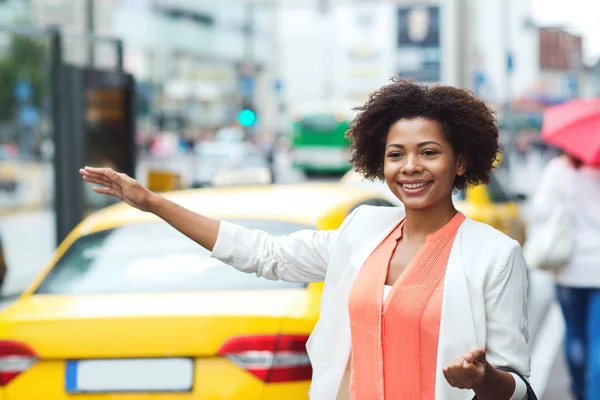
(299, 257)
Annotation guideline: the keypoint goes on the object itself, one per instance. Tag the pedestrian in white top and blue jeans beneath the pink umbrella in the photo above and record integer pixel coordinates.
(568, 184)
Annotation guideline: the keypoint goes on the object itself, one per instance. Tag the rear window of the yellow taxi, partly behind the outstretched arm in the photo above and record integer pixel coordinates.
(152, 257)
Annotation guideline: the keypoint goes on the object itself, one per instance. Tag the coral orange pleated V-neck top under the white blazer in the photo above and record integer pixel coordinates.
(394, 342)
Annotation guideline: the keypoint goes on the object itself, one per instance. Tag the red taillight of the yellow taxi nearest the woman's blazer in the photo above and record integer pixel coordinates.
(271, 358)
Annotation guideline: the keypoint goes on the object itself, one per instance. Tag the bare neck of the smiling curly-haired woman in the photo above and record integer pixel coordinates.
(421, 223)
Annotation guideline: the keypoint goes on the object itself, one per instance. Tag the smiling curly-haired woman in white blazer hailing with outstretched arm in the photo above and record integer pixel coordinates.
(456, 289)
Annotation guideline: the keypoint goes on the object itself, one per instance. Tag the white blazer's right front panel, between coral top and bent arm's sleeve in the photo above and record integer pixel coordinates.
(457, 328)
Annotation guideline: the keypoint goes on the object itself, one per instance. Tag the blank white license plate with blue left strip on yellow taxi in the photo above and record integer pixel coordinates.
(129, 375)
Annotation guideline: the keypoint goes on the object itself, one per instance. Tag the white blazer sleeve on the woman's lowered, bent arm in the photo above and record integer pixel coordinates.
(506, 312)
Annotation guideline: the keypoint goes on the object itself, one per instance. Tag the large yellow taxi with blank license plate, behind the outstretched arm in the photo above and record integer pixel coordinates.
(128, 308)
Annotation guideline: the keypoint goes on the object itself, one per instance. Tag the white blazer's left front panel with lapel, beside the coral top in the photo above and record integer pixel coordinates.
(333, 329)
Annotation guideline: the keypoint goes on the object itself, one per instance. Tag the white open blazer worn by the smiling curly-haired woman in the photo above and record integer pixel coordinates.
(484, 301)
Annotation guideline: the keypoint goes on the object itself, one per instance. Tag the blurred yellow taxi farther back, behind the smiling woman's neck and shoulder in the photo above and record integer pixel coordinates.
(485, 203)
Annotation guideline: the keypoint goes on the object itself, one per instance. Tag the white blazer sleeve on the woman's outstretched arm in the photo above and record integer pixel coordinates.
(302, 256)
